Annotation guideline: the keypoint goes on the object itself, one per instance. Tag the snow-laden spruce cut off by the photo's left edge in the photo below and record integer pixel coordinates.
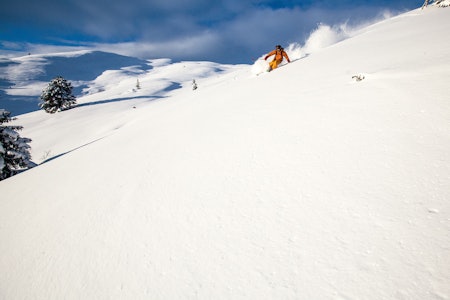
(14, 150)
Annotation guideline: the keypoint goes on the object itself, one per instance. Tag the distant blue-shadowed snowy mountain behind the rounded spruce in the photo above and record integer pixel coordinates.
(22, 79)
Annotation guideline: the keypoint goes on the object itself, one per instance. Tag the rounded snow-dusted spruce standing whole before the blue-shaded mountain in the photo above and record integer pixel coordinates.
(57, 96)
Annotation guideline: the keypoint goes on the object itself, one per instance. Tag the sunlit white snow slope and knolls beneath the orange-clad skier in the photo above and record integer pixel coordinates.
(302, 183)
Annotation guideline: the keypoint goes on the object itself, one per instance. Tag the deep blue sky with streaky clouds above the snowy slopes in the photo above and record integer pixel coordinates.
(232, 31)
